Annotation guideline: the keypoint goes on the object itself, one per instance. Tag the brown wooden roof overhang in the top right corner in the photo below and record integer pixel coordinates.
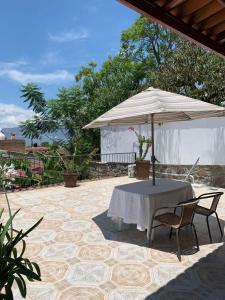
(201, 21)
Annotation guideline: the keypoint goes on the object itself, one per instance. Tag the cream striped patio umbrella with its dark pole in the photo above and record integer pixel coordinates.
(156, 106)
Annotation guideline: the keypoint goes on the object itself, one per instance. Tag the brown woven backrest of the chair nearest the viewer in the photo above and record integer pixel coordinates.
(187, 211)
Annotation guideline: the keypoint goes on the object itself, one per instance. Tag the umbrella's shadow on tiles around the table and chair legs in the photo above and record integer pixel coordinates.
(131, 235)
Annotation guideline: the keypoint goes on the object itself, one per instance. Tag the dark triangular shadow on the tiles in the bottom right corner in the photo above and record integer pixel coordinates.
(204, 280)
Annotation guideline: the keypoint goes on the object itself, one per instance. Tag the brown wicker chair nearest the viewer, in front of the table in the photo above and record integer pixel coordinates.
(175, 221)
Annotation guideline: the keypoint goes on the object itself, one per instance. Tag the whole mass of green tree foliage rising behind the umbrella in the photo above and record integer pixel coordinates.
(149, 55)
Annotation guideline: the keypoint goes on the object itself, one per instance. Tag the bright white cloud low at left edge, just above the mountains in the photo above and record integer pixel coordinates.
(12, 115)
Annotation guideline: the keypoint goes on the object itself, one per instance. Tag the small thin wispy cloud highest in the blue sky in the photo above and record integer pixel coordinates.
(69, 36)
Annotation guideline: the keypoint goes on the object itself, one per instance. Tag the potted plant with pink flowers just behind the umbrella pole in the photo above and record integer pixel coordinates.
(142, 165)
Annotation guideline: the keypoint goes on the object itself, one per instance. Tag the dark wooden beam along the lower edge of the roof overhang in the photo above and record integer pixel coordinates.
(154, 12)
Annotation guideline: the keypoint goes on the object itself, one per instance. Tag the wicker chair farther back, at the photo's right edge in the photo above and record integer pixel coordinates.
(215, 196)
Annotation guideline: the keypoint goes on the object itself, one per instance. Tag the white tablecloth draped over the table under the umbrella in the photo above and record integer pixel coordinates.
(135, 202)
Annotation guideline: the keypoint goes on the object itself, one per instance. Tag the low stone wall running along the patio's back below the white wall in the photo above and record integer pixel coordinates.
(211, 175)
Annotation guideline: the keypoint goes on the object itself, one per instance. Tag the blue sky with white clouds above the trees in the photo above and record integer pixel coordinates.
(47, 42)
